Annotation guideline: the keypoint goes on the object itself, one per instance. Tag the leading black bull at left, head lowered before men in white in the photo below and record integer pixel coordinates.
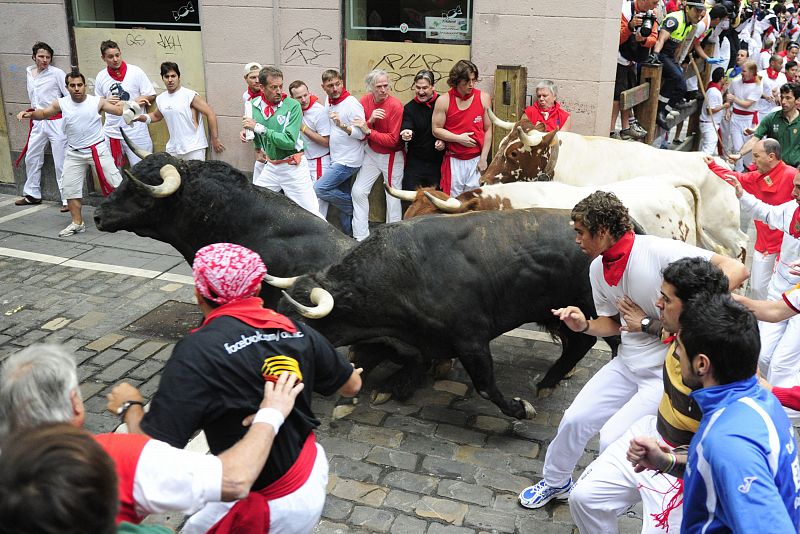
(215, 203)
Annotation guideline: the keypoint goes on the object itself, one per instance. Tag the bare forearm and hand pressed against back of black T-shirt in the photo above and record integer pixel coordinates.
(242, 463)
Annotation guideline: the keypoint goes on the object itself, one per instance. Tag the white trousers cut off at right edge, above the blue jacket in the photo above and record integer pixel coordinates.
(780, 355)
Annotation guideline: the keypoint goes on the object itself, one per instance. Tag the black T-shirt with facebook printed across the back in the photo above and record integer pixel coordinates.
(215, 378)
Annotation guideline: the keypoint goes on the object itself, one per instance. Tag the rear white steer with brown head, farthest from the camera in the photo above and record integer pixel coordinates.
(527, 154)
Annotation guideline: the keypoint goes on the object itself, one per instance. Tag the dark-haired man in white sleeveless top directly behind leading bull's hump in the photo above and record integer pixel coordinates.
(182, 109)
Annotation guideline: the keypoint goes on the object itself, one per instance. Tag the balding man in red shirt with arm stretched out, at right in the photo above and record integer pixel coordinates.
(772, 183)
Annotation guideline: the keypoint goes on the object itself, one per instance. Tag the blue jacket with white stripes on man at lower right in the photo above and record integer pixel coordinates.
(742, 474)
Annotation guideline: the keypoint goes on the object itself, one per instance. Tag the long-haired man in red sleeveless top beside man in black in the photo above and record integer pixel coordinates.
(460, 119)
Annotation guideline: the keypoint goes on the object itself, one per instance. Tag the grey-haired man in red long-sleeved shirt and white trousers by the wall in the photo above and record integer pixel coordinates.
(383, 153)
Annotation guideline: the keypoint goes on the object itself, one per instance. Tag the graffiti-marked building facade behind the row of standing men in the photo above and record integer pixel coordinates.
(570, 42)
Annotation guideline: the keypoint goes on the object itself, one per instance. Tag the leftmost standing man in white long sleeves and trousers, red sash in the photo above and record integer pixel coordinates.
(45, 84)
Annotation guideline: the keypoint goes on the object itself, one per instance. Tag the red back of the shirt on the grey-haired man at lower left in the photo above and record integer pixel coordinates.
(125, 450)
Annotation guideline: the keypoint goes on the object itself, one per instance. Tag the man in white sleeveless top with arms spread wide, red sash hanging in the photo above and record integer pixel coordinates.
(85, 141)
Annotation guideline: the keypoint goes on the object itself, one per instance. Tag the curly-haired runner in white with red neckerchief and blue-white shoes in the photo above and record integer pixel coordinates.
(625, 267)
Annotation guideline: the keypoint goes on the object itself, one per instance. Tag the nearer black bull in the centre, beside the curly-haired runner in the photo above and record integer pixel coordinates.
(446, 286)
